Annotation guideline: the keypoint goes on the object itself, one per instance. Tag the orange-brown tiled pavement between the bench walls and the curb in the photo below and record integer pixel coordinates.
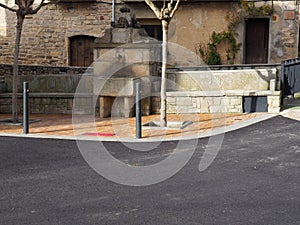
(62, 126)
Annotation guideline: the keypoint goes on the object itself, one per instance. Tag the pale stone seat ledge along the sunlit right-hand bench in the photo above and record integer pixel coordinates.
(222, 93)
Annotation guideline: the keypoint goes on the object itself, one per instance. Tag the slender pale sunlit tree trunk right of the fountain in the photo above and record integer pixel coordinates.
(163, 94)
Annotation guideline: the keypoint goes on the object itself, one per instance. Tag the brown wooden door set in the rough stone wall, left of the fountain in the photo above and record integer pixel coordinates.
(81, 50)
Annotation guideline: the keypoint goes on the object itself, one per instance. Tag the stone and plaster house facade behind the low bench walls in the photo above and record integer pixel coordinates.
(48, 36)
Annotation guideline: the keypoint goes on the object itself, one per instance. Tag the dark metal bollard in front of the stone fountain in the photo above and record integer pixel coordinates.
(138, 110)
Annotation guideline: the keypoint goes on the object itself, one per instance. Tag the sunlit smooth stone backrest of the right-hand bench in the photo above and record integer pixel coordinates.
(224, 80)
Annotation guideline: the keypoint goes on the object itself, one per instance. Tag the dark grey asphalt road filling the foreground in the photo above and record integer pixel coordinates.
(253, 180)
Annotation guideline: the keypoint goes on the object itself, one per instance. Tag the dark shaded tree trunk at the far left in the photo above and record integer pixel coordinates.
(20, 20)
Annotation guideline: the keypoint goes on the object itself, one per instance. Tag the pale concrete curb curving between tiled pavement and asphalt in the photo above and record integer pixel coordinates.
(214, 132)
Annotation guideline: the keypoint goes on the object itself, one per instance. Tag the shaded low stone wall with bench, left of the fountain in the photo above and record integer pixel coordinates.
(51, 89)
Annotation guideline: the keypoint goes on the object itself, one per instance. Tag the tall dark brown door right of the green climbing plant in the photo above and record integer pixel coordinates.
(257, 41)
